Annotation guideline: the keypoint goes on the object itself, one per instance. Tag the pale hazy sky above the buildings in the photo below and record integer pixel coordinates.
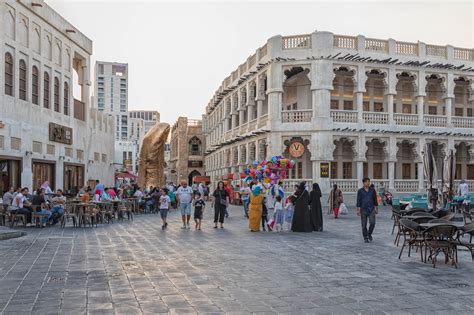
(179, 52)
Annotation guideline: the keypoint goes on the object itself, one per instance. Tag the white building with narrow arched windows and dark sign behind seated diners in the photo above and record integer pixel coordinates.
(48, 130)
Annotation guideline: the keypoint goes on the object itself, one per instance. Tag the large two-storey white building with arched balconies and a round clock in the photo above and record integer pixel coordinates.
(345, 107)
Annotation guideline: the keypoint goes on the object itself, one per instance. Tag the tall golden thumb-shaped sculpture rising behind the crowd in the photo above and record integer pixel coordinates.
(152, 157)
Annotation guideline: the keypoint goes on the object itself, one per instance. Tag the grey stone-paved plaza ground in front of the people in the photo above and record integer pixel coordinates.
(136, 268)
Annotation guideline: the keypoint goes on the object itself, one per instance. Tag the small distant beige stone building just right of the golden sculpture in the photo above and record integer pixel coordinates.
(186, 150)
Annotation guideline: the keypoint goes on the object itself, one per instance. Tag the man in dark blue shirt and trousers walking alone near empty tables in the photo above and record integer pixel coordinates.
(367, 208)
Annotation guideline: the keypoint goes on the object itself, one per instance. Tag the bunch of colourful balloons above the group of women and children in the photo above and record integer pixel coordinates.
(269, 171)
